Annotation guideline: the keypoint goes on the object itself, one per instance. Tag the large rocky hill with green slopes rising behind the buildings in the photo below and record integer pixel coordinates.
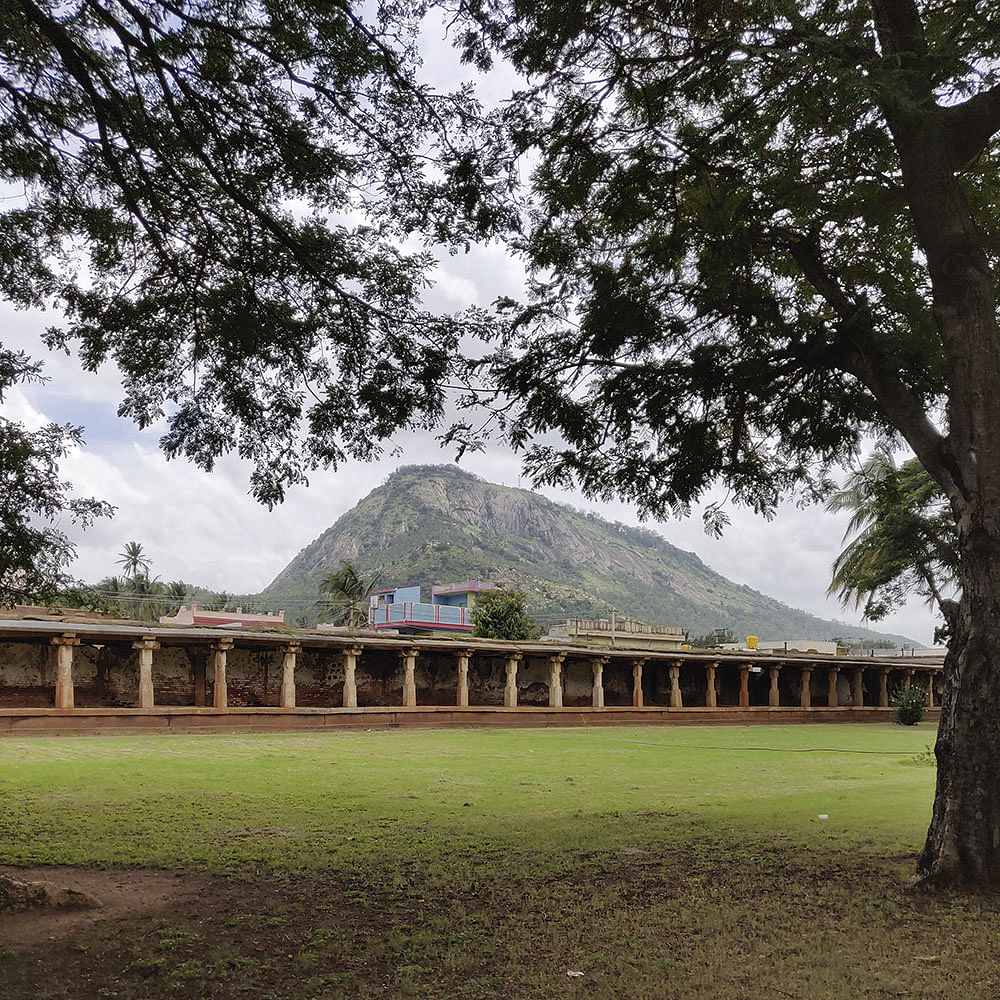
(433, 524)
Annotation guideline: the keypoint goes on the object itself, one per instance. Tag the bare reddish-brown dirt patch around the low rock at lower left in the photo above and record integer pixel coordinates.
(120, 892)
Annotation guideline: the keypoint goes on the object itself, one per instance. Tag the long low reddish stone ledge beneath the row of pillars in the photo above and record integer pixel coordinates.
(44, 722)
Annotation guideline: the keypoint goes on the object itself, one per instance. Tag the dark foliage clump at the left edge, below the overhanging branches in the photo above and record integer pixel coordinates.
(34, 551)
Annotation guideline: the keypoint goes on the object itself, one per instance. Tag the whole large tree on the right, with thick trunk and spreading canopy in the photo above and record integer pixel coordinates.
(759, 232)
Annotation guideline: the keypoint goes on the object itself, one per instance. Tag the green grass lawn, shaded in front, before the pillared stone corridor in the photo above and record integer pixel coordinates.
(657, 862)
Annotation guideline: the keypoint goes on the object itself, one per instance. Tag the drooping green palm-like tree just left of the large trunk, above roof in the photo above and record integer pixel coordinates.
(904, 539)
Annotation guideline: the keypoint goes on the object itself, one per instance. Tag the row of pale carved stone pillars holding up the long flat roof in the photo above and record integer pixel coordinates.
(145, 647)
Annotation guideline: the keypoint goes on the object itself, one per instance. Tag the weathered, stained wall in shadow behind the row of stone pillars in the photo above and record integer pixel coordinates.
(107, 676)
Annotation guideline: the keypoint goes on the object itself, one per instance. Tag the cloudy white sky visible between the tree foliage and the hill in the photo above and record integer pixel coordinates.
(205, 529)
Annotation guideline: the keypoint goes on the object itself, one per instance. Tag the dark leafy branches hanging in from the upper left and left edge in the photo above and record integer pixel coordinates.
(242, 173)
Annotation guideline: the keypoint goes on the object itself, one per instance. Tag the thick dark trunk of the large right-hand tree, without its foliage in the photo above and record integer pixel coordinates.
(963, 842)
